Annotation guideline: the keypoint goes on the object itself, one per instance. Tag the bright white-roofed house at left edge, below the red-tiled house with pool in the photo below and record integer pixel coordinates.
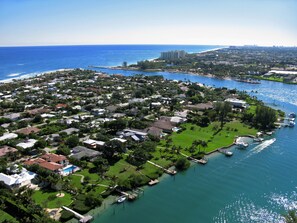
(17, 180)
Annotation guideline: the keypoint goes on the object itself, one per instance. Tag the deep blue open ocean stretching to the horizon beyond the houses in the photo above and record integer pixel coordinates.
(16, 62)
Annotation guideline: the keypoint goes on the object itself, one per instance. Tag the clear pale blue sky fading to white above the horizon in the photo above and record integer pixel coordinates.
(217, 22)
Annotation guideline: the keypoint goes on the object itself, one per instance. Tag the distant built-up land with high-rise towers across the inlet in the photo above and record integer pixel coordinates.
(246, 63)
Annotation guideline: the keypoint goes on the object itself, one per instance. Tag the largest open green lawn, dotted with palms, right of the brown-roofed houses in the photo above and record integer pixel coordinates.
(214, 141)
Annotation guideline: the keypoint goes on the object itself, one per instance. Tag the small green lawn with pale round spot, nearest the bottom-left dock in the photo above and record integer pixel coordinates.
(42, 198)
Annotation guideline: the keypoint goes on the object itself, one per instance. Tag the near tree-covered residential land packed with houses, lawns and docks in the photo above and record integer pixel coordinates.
(69, 139)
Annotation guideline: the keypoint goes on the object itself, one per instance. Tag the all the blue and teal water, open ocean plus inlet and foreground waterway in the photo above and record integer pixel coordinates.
(257, 184)
